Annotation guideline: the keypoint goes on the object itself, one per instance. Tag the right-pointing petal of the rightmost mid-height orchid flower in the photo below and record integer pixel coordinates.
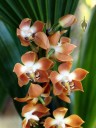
(79, 74)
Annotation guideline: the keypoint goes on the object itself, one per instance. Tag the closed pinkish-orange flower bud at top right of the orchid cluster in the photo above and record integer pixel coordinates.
(67, 20)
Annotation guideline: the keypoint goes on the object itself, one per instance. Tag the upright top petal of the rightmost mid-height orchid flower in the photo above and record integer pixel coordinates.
(65, 67)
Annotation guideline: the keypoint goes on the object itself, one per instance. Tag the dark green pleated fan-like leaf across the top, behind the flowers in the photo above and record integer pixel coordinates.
(46, 10)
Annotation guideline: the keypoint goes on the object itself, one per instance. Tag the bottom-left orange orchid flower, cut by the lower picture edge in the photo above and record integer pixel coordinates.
(32, 114)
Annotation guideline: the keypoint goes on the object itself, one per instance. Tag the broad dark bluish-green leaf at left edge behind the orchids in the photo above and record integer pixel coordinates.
(10, 53)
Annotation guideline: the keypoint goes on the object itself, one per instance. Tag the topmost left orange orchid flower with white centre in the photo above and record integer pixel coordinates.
(27, 33)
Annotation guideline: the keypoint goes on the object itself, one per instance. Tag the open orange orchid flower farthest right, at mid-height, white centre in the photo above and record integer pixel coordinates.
(65, 82)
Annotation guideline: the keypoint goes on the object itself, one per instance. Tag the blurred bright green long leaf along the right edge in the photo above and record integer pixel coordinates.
(85, 104)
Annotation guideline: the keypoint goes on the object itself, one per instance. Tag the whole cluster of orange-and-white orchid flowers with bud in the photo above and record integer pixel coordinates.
(48, 47)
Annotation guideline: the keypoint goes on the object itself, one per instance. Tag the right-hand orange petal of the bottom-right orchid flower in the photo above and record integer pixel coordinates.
(74, 121)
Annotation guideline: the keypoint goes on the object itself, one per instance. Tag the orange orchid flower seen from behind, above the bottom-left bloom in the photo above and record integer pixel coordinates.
(37, 92)
